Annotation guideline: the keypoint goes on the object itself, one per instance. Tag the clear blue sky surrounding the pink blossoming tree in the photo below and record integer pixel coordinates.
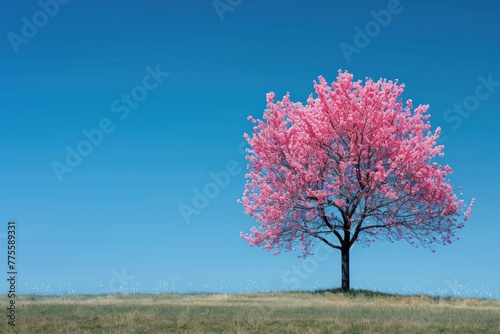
(112, 221)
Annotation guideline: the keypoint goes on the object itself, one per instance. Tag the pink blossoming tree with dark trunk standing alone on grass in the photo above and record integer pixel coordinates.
(352, 165)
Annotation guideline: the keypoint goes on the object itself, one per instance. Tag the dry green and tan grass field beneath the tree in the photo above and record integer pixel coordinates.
(280, 312)
